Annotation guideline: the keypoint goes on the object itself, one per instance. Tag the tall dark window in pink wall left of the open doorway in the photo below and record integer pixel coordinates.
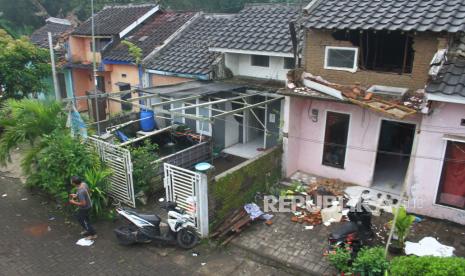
(336, 133)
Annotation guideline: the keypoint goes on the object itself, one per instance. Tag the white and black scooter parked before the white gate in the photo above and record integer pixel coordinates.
(145, 228)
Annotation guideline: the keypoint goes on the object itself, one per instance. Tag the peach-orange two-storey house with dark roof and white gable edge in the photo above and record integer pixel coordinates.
(112, 24)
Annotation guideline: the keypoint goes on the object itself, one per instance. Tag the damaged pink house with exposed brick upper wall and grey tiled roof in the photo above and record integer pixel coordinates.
(380, 102)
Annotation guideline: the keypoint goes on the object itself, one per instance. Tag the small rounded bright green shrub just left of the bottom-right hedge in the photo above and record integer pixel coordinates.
(370, 261)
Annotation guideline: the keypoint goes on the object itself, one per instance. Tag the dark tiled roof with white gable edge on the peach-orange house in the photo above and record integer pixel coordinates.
(112, 20)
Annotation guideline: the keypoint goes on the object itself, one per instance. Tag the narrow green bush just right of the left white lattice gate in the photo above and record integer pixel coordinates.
(144, 168)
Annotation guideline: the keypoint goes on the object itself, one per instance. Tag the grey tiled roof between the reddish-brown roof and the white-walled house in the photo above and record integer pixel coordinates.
(188, 53)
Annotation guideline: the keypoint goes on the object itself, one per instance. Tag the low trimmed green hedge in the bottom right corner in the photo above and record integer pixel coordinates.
(427, 266)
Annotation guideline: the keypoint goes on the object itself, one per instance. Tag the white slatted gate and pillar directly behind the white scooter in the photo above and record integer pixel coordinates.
(189, 190)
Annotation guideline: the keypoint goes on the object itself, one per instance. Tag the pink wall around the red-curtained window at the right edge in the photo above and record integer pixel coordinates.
(445, 119)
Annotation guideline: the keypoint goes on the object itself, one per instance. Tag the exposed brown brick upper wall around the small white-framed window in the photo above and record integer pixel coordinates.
(425, 46)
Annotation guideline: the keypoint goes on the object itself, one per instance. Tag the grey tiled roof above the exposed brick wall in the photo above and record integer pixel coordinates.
(393, 15)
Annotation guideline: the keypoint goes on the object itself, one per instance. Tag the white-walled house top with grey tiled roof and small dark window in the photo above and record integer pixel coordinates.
(257, 43)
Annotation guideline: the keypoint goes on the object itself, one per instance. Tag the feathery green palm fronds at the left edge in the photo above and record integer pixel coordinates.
(27, 120)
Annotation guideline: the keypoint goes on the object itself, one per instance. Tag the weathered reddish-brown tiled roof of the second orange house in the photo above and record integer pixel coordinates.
(151, 34)
